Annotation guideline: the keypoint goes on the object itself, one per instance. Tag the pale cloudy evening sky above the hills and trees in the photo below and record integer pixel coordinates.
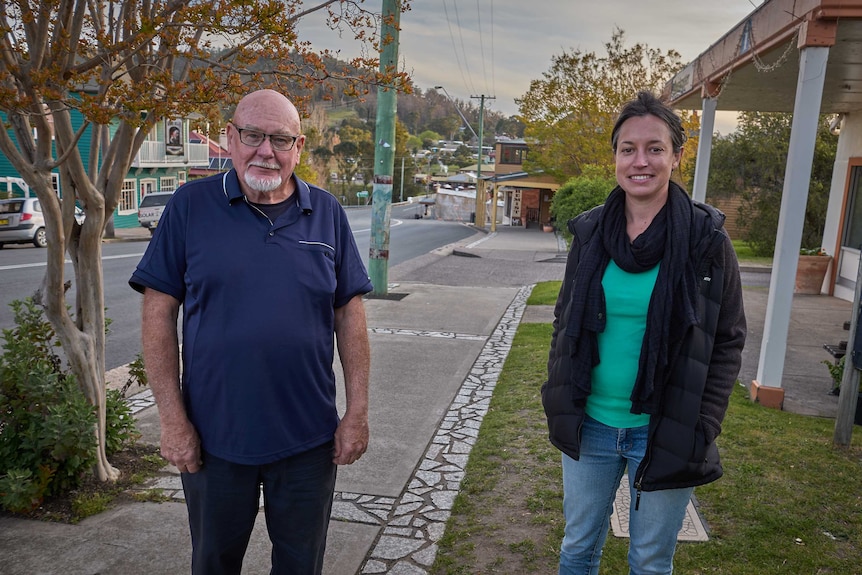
(496, 47)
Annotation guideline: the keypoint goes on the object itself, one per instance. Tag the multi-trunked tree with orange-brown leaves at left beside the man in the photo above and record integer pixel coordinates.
(112, 70)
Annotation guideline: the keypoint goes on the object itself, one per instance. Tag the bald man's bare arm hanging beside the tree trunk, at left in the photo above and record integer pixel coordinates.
(180, 443)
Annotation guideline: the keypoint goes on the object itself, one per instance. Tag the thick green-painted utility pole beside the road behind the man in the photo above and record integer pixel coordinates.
(384, 153)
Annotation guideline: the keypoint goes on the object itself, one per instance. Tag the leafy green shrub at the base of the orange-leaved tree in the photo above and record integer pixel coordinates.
(47, 426)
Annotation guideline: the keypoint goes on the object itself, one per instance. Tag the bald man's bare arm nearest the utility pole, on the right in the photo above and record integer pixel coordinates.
(351, 437)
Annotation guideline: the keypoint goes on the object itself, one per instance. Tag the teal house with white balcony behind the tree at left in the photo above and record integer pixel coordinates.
(163, 163)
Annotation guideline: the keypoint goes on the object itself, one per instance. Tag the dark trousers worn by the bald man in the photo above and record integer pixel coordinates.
(222, 500)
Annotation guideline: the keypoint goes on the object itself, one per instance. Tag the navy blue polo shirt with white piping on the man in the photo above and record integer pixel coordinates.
(259, 300)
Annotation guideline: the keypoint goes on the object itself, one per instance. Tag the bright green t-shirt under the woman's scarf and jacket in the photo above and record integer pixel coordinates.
(627, 298)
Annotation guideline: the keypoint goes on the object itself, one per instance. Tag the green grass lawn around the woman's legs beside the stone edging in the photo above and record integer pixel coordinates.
(789, 502)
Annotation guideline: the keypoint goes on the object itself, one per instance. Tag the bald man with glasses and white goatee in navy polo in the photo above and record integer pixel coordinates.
(266, 270)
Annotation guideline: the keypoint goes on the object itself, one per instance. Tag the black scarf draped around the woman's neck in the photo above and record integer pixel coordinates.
(668, 240)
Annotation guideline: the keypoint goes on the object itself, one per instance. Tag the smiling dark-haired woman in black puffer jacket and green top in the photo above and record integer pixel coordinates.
(648, 335)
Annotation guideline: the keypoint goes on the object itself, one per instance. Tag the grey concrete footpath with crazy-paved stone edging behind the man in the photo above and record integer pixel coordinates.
(439, 342)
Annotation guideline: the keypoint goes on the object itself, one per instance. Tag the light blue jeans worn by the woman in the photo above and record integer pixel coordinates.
(589, 489)
